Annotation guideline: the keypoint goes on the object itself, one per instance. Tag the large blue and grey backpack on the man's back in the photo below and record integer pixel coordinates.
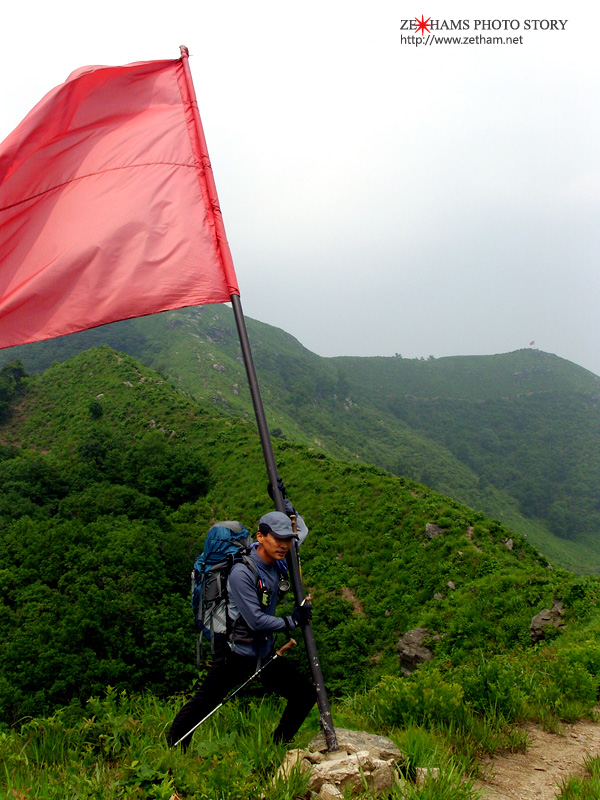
(226, 543)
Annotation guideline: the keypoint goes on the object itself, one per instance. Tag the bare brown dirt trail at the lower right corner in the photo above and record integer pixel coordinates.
(549, 760)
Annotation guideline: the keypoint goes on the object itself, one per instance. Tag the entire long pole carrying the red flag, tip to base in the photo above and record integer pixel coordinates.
(263, 429)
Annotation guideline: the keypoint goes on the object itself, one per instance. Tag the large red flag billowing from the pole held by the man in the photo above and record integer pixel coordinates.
(107, 205)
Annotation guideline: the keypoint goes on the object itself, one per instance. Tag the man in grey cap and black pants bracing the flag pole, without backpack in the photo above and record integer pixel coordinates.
(252, 604)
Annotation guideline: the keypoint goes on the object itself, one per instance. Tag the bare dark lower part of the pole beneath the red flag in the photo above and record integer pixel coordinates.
(292, 557)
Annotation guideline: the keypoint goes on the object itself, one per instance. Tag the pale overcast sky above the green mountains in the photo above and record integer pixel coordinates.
(379, 197)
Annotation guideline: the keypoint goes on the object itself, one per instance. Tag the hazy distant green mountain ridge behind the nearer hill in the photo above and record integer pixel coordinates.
(515, 435)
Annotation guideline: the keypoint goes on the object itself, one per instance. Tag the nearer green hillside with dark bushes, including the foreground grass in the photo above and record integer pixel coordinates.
(95, 551)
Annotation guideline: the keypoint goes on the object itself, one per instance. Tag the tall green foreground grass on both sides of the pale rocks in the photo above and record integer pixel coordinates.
(114, 747)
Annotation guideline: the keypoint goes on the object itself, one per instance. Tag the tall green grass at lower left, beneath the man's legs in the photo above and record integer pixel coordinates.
(115, 748)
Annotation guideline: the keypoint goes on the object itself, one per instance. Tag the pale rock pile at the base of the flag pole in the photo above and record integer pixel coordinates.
(361, 758)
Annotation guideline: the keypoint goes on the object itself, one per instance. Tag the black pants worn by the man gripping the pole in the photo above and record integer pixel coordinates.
(227, 672)
